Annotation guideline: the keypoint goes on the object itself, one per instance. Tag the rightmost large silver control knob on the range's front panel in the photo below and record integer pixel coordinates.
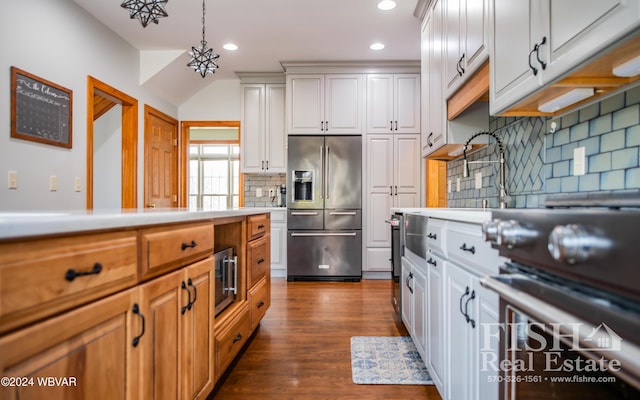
(573, 244)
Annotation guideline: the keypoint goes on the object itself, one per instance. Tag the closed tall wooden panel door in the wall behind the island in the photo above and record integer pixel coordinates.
(160, 159)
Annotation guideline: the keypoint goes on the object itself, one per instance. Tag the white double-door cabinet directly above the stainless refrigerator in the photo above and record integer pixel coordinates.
(325, 103)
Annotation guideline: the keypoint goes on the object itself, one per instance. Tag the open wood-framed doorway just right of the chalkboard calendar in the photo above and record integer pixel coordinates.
(101, 99)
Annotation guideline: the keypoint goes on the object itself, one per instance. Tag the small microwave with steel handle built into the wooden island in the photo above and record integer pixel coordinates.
(226, 283)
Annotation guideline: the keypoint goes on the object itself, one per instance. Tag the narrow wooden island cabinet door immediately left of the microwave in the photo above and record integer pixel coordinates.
(198, 337)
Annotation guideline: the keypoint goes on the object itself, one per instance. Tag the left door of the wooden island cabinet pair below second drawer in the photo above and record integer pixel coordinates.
(161, 301)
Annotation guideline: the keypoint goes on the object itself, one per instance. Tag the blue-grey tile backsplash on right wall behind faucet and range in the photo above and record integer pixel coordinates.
(539, 158)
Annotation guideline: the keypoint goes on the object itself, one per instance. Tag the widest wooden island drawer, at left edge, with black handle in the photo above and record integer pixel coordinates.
(41, 277)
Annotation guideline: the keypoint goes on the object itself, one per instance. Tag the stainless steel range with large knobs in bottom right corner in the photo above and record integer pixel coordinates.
(569, 297)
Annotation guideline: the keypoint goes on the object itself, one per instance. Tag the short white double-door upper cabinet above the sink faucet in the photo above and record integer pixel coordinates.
(467, 36)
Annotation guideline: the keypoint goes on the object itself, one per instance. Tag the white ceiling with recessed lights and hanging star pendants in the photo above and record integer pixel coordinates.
(267, 33)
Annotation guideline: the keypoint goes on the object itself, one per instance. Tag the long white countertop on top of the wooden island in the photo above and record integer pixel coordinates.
(33, 223)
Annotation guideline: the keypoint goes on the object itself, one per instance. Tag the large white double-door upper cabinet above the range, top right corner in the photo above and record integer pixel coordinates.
(536, 43)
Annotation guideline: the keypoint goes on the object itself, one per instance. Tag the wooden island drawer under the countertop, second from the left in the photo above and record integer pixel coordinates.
(169, 247)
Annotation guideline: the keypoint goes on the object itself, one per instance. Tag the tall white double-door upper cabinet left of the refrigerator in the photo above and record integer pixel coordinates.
(263, 137)
